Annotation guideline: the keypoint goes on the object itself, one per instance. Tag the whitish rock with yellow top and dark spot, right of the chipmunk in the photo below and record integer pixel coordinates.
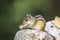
(53, 27)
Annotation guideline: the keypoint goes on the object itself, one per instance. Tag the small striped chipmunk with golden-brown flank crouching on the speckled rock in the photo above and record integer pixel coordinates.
(36, 22)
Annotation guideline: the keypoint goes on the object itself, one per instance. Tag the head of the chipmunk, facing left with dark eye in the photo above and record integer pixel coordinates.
(28, 22)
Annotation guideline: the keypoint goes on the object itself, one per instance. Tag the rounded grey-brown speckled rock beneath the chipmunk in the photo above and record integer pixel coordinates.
(28, 34)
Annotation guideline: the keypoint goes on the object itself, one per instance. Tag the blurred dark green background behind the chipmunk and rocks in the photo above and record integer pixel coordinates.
(12, 12)
